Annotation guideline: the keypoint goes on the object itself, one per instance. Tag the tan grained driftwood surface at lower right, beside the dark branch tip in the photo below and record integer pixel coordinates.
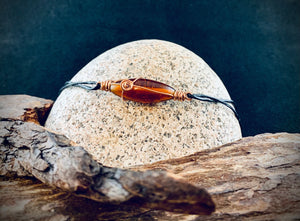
(255, 178)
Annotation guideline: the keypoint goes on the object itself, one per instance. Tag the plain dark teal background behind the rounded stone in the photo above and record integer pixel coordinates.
(253, 45)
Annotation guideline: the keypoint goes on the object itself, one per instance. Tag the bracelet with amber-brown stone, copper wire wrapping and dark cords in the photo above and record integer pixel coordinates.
(146, 91)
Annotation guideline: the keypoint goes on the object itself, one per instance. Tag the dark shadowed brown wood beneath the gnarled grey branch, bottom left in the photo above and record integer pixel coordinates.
(29, 199)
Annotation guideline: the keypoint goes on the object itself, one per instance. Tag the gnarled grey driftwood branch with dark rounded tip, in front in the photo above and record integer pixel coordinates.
(28, 149)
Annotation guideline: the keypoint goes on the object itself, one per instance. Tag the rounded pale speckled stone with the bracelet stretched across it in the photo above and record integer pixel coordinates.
(125, 133)
